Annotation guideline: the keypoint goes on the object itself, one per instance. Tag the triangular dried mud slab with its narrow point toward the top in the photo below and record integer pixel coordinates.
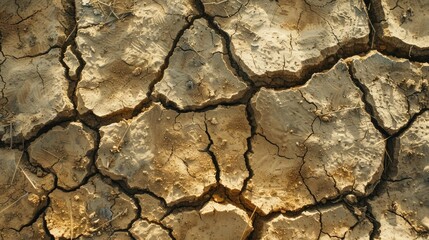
(199, 73)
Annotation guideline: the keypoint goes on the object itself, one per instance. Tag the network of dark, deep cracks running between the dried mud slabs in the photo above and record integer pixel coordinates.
(389, 161)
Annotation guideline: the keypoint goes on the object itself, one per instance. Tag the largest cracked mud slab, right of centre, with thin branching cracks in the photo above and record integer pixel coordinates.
(312, 145)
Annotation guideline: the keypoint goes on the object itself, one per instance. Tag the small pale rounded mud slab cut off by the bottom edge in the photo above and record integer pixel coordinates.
(144, 230)
